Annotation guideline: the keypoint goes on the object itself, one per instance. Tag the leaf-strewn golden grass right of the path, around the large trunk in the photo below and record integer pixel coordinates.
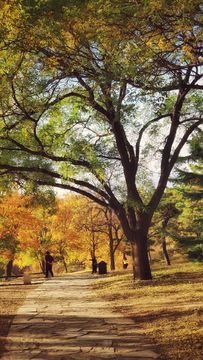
(169, 309)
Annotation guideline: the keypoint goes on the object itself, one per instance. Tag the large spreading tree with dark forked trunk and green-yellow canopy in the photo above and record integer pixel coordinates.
(75, 80)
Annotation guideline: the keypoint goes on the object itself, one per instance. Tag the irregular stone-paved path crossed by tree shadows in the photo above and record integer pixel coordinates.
(64, 320)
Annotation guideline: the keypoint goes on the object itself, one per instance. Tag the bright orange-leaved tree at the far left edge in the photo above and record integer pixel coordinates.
(19, 228)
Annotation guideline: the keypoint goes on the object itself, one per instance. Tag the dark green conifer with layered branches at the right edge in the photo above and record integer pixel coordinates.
(191, 193)
